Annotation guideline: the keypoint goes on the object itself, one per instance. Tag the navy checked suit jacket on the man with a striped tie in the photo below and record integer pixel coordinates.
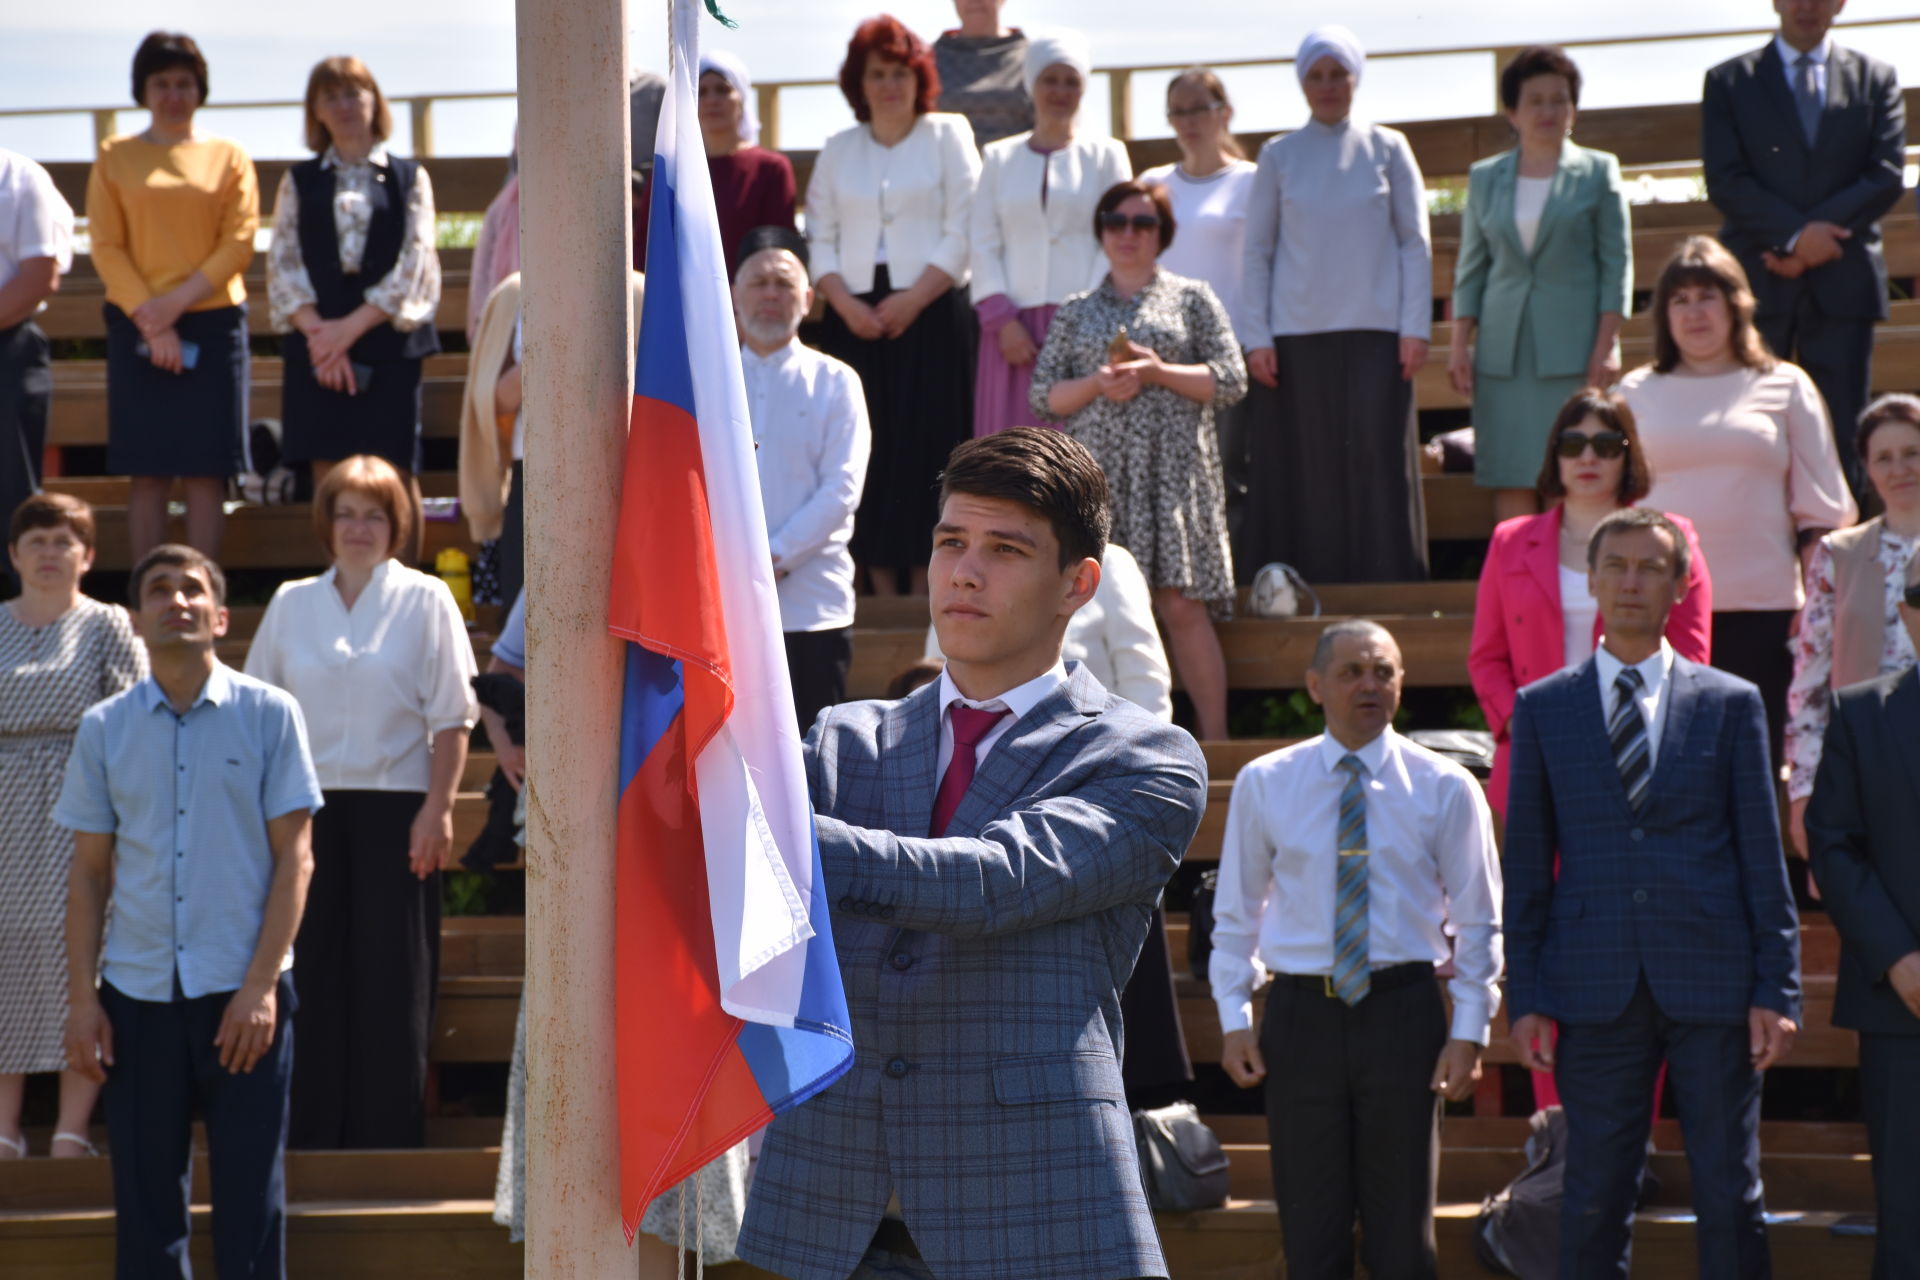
(1692, 893)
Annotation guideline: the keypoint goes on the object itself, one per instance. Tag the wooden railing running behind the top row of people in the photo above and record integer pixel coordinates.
(1120, 82)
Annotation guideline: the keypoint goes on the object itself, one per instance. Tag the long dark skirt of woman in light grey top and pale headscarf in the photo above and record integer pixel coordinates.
(1333, 477)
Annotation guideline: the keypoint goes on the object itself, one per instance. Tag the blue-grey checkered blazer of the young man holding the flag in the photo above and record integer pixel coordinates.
(984, 976)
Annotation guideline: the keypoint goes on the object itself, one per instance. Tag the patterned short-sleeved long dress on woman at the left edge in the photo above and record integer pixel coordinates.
(49, 676)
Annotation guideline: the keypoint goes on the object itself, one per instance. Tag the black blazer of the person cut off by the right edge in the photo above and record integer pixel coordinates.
(1863, 834)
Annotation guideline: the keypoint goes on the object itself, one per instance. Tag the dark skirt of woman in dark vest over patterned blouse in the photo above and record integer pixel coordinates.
(320, 423)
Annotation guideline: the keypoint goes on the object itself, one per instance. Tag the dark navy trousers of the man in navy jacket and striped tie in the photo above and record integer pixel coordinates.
(1606, 1085)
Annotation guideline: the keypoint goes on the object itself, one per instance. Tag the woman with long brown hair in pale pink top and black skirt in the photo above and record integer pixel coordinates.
(1740, 444)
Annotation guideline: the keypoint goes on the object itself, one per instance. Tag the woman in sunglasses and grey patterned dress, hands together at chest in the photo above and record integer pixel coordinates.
(1136, 369)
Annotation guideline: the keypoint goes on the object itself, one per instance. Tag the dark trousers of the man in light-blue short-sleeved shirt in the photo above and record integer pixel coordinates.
(164, 1066)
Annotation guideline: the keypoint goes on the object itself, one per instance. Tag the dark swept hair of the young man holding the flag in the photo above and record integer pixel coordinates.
(1047, 471)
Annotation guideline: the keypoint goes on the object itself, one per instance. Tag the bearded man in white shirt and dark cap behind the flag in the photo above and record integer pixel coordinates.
(811, 444)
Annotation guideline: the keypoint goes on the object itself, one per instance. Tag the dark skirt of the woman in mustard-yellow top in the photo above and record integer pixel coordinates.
(191, 423)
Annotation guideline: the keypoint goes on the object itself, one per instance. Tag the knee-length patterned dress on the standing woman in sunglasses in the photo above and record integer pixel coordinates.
(1159, 450)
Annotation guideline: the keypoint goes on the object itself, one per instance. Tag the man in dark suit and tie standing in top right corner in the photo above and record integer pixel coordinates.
(1806, 147)
